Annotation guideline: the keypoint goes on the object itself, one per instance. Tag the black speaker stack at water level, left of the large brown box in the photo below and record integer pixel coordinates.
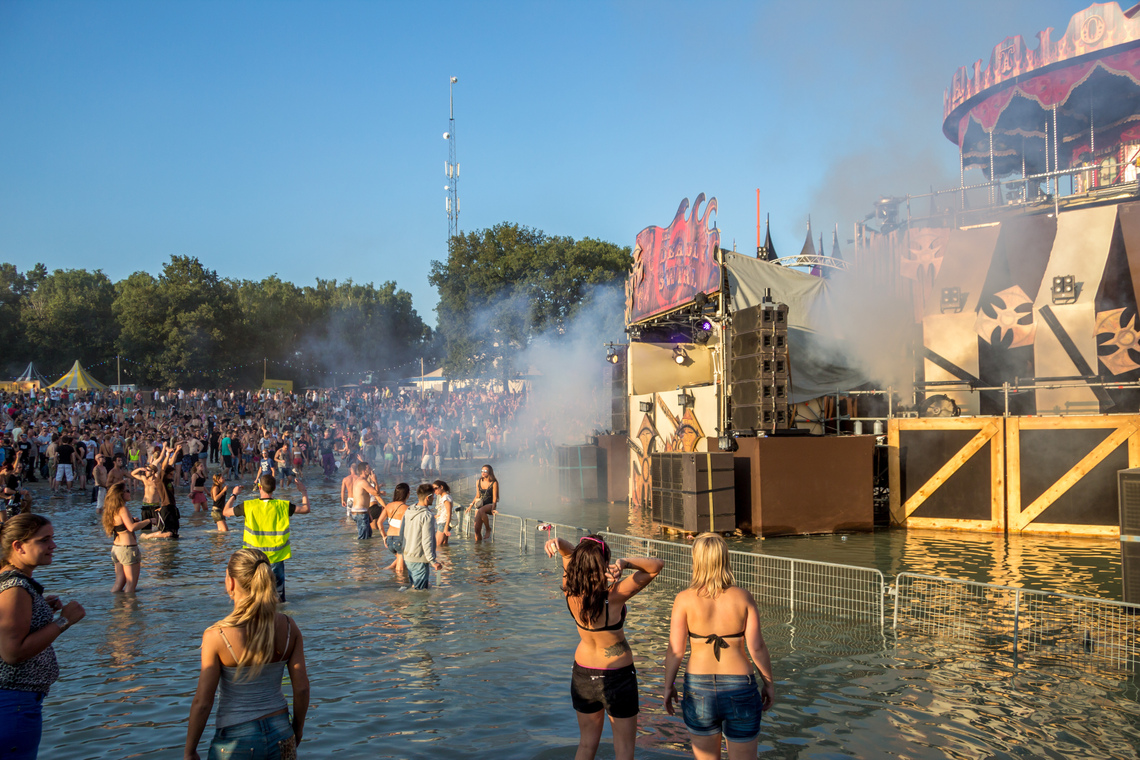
(694, 492)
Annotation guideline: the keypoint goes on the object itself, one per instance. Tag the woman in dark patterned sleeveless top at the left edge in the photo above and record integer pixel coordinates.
(28, 663)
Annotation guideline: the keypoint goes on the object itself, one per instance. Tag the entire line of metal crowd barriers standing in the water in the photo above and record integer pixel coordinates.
(1027, 625)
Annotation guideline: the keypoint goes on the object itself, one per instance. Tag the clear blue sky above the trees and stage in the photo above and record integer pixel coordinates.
(306, 138)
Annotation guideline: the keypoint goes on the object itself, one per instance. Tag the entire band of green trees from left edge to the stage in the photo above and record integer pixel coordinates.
(500, 289)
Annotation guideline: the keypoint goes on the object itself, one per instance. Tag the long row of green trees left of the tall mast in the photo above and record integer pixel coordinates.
(190, 328)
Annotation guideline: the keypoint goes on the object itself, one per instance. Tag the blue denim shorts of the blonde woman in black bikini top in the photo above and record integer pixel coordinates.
(729, 705)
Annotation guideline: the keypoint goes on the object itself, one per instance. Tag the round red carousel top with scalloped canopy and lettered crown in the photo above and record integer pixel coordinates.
(1082, 88)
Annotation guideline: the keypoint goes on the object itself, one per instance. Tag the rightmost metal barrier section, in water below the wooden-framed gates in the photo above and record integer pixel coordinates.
(1029, 625)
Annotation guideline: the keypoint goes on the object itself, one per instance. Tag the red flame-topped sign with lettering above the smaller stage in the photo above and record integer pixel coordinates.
(672, 265)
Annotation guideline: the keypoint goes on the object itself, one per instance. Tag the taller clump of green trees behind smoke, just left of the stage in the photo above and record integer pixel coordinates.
(503, 287)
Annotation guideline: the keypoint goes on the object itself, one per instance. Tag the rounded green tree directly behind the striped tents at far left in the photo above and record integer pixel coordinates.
(69, 316)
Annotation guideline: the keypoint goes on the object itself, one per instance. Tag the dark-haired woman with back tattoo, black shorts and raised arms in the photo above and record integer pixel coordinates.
(604, 680)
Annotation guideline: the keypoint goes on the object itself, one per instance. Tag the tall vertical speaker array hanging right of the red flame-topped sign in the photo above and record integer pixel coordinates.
(761, 371)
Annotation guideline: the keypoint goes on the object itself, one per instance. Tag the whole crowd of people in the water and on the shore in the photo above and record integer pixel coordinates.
(156, 450)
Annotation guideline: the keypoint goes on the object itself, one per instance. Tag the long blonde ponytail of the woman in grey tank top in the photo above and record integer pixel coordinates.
(256, 612)
